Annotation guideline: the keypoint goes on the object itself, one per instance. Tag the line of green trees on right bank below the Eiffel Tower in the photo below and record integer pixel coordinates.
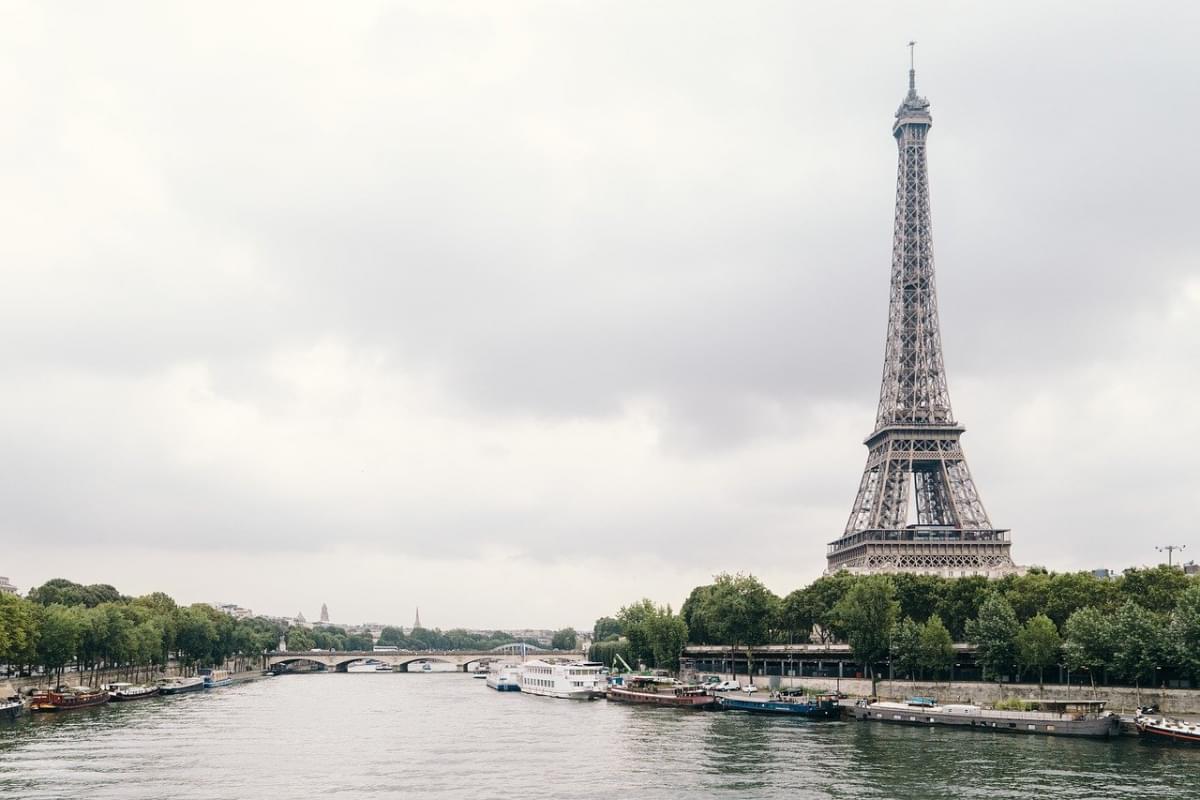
(1138, 628)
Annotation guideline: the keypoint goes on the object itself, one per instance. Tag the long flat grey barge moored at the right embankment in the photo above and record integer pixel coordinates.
(1049, 718)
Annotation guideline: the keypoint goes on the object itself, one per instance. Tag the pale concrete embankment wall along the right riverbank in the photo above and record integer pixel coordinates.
(1120, 699)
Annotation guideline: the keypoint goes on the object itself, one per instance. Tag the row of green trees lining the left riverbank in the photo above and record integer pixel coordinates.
(97, 628)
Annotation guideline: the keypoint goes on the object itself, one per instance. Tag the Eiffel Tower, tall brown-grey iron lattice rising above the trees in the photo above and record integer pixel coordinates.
(915, 458)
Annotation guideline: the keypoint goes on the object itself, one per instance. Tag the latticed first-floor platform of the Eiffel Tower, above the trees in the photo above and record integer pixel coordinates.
(925, 550)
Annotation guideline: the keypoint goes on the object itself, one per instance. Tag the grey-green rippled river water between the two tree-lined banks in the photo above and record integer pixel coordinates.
(429, 736)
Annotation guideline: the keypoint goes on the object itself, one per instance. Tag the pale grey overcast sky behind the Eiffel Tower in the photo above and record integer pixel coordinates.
(519, 312)
